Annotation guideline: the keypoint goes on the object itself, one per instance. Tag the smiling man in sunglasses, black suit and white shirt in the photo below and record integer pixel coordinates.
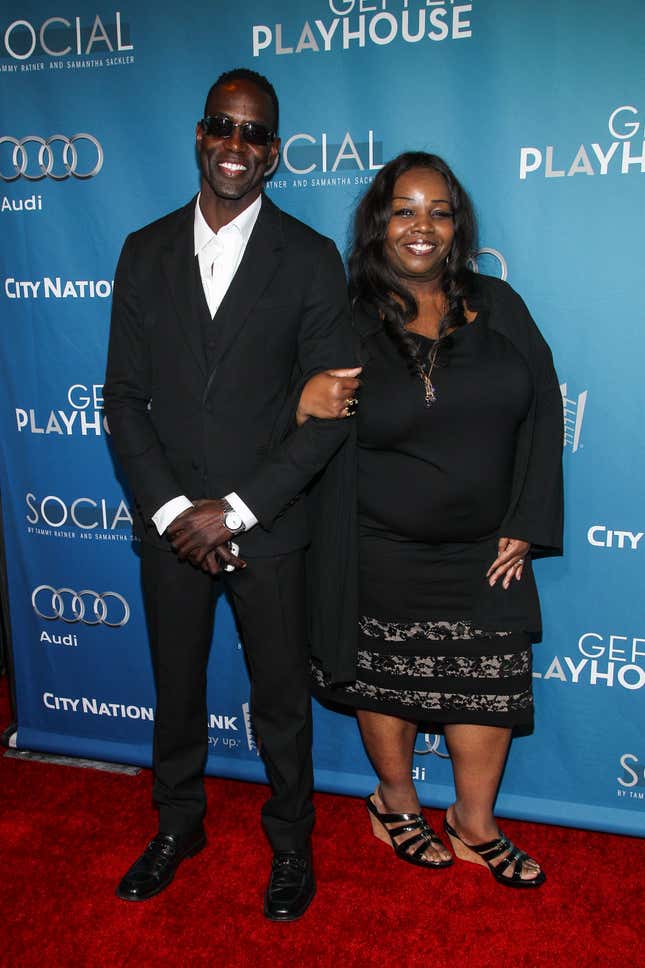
(221, 311)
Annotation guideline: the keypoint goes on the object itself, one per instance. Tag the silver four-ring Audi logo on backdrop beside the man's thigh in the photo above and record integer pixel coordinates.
(85, 606)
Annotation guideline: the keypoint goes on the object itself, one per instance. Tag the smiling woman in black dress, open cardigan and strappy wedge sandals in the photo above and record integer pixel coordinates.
(453, 466)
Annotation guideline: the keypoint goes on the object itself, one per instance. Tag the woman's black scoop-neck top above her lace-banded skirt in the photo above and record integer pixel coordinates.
(441, 472)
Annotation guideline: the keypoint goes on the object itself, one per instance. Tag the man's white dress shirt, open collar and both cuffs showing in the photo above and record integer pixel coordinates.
(219, 255)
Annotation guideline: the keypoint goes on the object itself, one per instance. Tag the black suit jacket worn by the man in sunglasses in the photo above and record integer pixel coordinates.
(182, 425)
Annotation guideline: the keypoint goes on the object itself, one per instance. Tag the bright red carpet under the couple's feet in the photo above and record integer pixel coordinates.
(67, 835)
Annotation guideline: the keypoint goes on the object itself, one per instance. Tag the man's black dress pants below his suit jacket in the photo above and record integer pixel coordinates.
(268, 597)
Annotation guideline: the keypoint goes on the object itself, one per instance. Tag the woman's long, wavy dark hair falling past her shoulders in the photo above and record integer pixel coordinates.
(371, 279)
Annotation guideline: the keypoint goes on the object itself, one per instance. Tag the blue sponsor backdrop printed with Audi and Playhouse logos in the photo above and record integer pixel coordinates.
(540, 109)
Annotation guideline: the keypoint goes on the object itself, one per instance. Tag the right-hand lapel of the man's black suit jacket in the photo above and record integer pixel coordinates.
(261, 259)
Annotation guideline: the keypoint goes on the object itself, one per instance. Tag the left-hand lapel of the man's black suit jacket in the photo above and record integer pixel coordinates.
(178, 265)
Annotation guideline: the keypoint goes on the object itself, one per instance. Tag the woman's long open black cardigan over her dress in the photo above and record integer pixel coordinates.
(534, 513)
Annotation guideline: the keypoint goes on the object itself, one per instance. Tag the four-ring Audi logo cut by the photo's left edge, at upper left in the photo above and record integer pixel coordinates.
(45, 160)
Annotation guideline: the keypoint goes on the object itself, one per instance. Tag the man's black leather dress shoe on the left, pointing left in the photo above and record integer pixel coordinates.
(156, 867)
